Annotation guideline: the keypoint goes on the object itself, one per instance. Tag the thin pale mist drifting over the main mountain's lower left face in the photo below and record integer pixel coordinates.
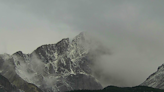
(33, 71)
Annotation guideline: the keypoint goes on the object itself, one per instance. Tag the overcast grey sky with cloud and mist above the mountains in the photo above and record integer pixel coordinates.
(133, 29)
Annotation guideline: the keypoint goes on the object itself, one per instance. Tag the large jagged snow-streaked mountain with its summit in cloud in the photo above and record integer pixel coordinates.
(63, 66)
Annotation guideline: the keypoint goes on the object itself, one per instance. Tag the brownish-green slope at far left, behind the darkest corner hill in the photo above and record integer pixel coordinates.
(7, 69)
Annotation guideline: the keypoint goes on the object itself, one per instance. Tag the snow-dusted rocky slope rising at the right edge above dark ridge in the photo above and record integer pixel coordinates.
(156, 80)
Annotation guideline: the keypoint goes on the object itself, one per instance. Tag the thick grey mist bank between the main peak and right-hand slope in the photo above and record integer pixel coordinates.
(131, 60)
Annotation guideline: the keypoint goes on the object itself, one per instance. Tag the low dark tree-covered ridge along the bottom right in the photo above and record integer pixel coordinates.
(123, 89)
